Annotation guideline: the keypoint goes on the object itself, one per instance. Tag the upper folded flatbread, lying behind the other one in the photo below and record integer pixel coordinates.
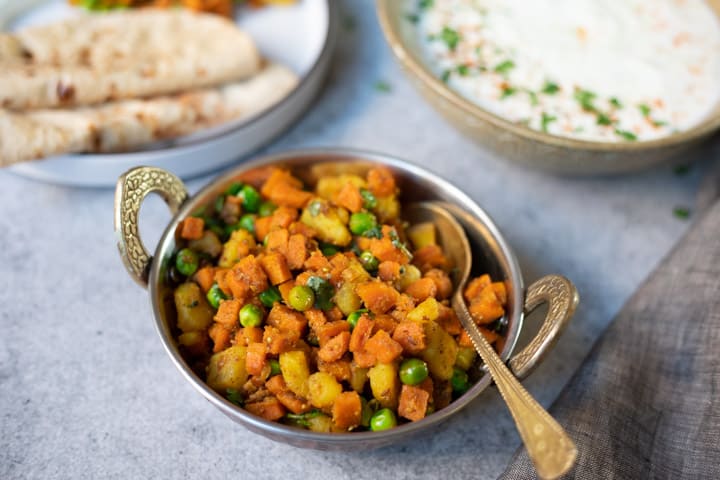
(96, 58)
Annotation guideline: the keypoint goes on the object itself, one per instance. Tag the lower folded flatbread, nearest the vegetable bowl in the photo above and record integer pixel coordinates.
(131, 124)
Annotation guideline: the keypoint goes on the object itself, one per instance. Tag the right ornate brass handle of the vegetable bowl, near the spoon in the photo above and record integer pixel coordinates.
(562, 299)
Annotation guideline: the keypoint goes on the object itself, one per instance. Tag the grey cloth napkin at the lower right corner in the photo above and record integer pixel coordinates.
(646, 401)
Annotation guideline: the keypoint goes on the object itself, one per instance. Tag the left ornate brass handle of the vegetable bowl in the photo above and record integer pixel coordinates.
(132, 188)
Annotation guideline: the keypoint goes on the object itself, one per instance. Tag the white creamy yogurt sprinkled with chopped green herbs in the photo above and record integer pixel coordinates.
(610, 71)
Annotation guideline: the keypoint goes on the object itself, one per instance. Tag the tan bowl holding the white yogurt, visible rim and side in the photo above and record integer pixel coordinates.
(519, 143)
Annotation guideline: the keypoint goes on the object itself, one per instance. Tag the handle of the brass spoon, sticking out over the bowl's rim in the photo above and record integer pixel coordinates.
(548, 445)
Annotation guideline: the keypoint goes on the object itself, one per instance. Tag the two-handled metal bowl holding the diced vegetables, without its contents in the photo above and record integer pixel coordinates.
(492, 254)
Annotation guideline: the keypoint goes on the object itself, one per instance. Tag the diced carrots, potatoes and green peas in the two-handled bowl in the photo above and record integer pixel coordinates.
(322, 309)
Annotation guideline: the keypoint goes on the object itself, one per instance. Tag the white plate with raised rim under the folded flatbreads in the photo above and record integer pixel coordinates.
(300, 36)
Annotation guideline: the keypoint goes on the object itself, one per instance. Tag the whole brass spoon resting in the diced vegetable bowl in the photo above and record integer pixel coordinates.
(549, 447)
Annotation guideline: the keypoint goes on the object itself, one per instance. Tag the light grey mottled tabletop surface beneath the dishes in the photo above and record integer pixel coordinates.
(86, 390)
